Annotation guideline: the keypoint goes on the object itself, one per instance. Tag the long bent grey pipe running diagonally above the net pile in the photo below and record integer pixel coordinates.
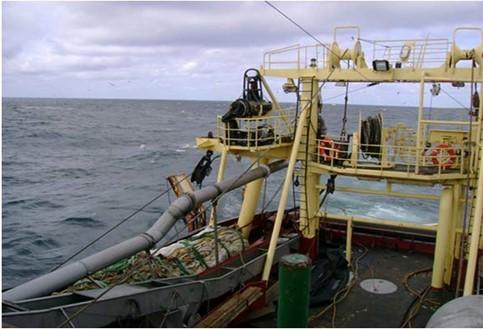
(70, 273)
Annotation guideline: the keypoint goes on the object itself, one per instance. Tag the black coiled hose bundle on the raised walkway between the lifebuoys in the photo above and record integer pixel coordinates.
(371, 136)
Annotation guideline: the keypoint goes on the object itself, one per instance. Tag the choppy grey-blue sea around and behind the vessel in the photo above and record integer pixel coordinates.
(72, 168)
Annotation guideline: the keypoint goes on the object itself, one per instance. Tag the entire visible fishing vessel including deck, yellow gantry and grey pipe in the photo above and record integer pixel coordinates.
(420, 265)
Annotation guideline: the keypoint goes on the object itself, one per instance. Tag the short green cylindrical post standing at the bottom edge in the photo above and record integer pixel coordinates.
(294, 291)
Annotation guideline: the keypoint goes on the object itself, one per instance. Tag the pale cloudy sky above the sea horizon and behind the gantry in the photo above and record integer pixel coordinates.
(199, 50)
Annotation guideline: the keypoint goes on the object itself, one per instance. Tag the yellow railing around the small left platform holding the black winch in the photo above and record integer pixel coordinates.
(258, 131)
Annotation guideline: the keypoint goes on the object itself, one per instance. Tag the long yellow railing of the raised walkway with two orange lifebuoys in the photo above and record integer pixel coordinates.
(438, 158)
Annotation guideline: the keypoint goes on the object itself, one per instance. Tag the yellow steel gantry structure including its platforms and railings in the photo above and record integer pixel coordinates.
(419, 61)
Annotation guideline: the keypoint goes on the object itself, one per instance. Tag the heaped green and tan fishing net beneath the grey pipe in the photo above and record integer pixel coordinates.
(185, 257)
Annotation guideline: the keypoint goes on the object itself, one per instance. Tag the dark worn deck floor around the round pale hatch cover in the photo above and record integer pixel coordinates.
(364, 309)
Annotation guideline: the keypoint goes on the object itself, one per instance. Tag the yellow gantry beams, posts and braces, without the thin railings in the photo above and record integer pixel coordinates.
(450, 199)
